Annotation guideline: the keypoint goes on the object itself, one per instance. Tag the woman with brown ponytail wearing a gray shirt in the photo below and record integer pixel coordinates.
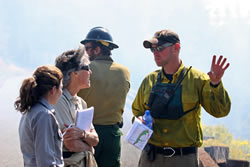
(39, 133)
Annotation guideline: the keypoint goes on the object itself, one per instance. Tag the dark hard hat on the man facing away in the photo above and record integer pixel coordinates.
(102, 35)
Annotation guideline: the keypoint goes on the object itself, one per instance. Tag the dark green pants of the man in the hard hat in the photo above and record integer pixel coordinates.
(108, 150)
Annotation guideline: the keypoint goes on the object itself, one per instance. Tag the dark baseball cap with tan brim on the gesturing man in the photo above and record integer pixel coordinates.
(162, 37)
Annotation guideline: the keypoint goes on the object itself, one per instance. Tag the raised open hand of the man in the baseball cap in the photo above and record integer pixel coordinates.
(217, 69)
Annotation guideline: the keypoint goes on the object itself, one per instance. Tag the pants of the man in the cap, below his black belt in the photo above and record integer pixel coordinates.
(190, 160)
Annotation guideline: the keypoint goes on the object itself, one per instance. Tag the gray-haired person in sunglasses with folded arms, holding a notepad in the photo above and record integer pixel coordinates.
(78, 144)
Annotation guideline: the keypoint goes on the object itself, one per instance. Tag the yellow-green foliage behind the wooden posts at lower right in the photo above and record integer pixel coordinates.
(238, 149)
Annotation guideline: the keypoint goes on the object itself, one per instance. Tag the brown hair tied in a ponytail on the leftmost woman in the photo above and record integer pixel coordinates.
(35, 87)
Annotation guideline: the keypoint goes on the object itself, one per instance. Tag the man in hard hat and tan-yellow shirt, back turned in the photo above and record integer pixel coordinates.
(109, 87)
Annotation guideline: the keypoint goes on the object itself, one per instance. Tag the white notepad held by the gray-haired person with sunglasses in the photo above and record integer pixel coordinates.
(84, 118)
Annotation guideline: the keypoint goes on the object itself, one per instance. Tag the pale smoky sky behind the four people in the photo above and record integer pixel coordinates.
(34, 33)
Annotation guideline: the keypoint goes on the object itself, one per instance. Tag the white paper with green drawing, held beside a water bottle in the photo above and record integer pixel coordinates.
(139, 134)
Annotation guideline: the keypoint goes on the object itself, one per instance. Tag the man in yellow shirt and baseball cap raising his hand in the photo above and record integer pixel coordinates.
(174, 95)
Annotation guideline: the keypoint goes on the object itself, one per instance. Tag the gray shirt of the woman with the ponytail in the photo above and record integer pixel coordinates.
(40, 137)
